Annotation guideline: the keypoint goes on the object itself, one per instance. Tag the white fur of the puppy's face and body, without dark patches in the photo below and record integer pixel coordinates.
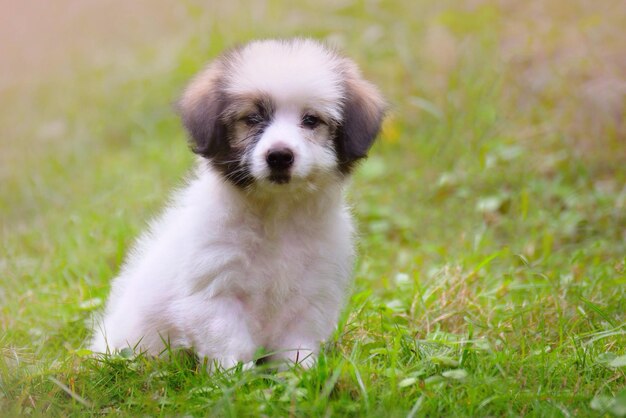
(224, 270)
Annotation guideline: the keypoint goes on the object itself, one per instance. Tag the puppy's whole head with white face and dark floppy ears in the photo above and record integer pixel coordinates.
(278, 112)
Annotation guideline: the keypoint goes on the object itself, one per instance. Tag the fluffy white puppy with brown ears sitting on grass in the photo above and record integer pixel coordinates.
(257, 250)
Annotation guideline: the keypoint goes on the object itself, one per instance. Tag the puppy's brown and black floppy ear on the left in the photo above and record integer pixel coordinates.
(200, 109)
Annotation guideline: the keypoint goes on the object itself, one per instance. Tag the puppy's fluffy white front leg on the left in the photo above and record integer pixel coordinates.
(220, 331)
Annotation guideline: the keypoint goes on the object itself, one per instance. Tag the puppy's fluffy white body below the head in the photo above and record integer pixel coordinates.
(226, 275)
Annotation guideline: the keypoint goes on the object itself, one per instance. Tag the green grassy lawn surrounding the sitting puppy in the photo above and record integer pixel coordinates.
(491, 279)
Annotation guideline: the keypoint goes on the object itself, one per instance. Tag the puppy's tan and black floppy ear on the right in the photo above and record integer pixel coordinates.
(364, 110)
